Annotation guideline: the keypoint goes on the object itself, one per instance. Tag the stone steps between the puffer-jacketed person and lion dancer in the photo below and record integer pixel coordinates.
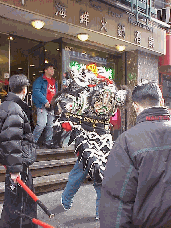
(50, 171)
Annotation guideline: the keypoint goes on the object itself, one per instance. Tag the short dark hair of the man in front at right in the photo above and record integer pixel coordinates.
(147, 94)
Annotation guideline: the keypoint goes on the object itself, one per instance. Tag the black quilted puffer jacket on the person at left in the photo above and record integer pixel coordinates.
(16, 139)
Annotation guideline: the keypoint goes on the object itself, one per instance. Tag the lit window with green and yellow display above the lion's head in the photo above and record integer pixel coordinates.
(98, 62)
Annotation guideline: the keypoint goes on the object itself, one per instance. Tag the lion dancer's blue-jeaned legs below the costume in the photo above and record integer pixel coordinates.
(76, 177)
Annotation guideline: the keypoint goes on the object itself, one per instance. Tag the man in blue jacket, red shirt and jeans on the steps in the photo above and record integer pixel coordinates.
(44, 88)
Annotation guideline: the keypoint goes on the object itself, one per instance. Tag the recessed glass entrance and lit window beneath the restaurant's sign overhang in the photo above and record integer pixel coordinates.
(19, 55)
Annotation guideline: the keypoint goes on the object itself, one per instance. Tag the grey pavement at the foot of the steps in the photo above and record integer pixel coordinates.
(81, 215)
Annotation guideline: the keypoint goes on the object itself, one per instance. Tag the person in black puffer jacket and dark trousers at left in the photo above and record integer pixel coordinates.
(17, 153)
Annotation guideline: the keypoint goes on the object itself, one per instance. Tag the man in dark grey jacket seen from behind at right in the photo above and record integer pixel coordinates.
(136, 189)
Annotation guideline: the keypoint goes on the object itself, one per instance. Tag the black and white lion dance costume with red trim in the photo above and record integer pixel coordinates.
(85, 105)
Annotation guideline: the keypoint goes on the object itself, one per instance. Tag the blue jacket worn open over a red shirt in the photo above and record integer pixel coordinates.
(40, 92)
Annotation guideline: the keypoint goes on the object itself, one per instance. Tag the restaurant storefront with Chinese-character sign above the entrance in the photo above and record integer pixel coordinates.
(24, 49)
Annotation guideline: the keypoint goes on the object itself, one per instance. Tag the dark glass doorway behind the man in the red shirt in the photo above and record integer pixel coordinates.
(19, 55)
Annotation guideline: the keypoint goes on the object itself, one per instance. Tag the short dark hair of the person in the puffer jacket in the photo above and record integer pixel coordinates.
(18, 82)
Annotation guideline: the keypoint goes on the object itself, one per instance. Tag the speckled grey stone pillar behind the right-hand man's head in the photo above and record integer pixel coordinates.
(141, 66)
